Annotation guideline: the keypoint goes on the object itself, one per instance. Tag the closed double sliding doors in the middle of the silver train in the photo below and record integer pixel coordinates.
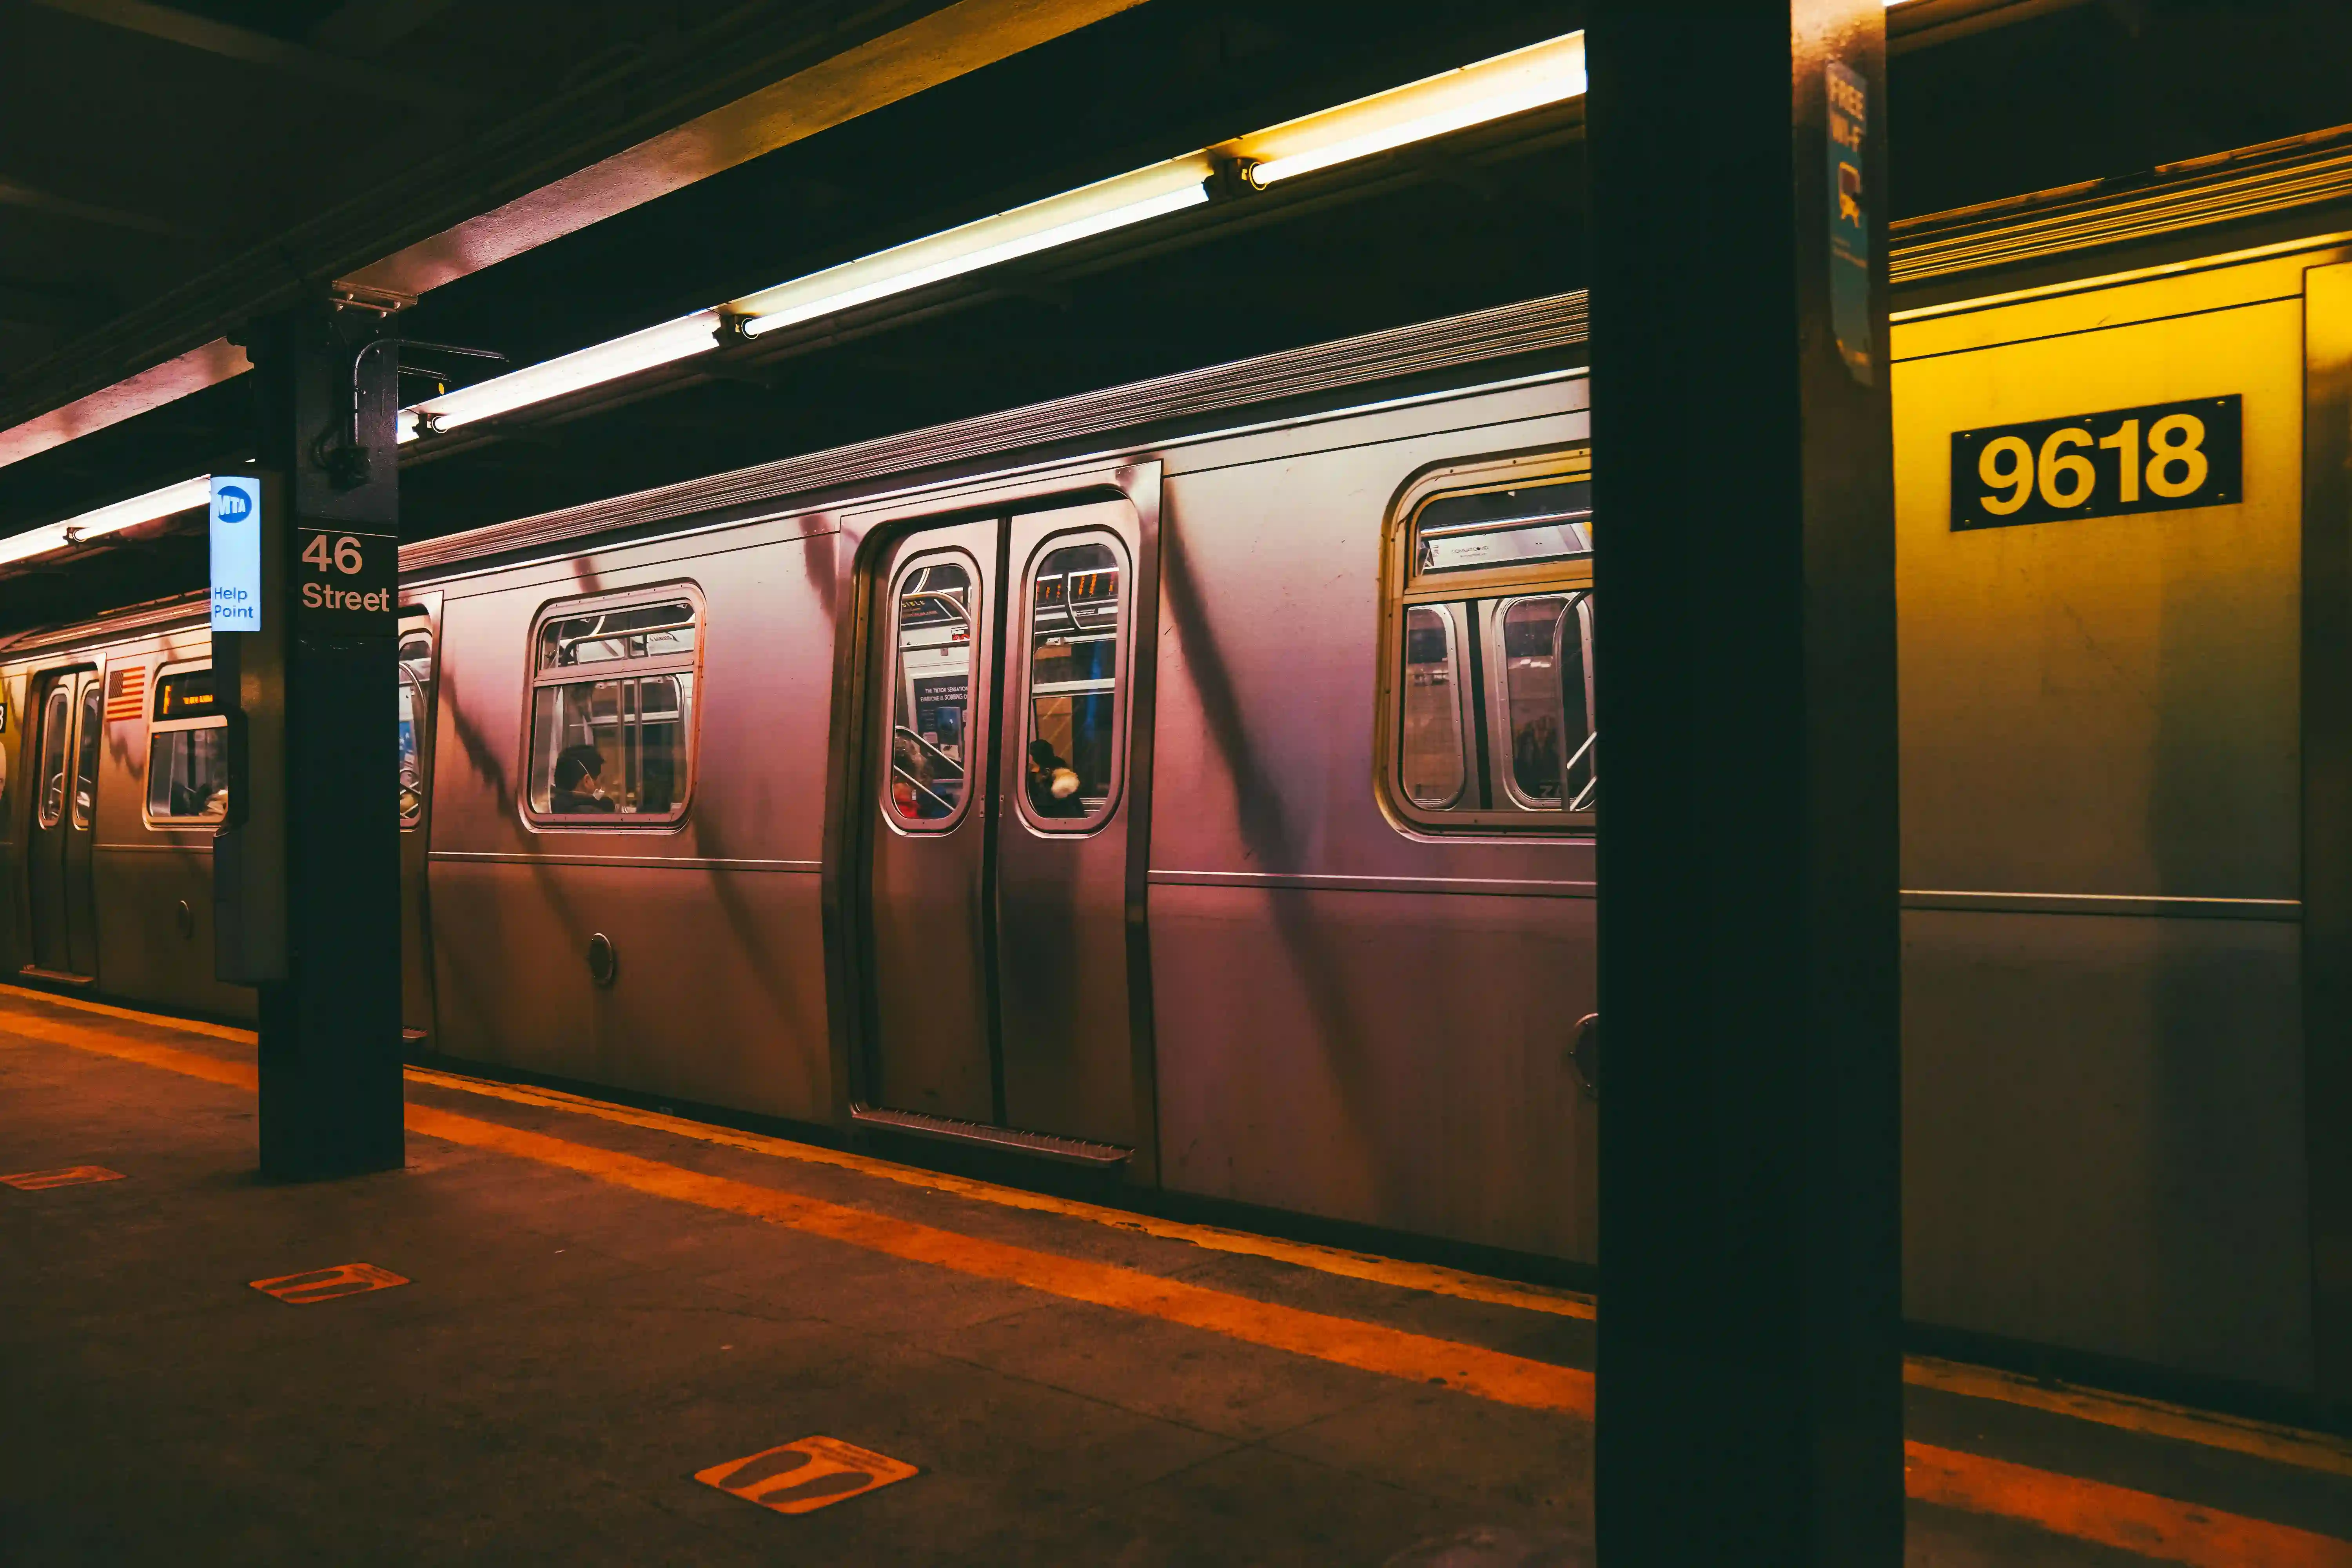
(996, 890)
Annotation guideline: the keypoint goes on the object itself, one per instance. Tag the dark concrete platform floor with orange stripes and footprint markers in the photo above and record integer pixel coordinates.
(606, 1304)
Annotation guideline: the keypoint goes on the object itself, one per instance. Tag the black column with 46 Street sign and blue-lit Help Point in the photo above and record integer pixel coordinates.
(307, 869)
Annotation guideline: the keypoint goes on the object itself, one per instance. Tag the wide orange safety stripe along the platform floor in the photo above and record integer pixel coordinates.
(2066, 1506)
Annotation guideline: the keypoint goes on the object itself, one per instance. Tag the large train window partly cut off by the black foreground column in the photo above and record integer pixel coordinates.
(1490, 681)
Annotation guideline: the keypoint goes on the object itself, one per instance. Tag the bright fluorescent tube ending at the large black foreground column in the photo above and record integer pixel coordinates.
(1474, 95)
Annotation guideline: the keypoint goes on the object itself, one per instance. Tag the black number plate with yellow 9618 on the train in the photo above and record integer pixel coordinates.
(2153, 460)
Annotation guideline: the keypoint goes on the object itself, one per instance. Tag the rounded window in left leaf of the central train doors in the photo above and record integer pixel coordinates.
(930, 742)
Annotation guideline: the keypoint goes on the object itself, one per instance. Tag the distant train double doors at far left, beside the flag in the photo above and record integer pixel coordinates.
(65, 812)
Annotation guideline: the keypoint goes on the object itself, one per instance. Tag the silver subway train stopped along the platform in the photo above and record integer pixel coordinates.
(1196, 782)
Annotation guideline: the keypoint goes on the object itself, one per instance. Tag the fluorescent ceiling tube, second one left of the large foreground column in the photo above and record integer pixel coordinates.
(1024, 232)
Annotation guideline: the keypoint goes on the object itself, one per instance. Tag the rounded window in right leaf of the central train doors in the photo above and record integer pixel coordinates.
(1074, 685)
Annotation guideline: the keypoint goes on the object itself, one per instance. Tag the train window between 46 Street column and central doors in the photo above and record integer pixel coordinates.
(617, 744)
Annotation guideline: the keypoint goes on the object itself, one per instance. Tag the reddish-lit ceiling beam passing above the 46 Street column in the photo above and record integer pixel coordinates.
(606, 147)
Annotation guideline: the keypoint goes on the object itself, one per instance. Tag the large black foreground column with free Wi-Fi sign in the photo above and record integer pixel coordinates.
(1749, 953)
